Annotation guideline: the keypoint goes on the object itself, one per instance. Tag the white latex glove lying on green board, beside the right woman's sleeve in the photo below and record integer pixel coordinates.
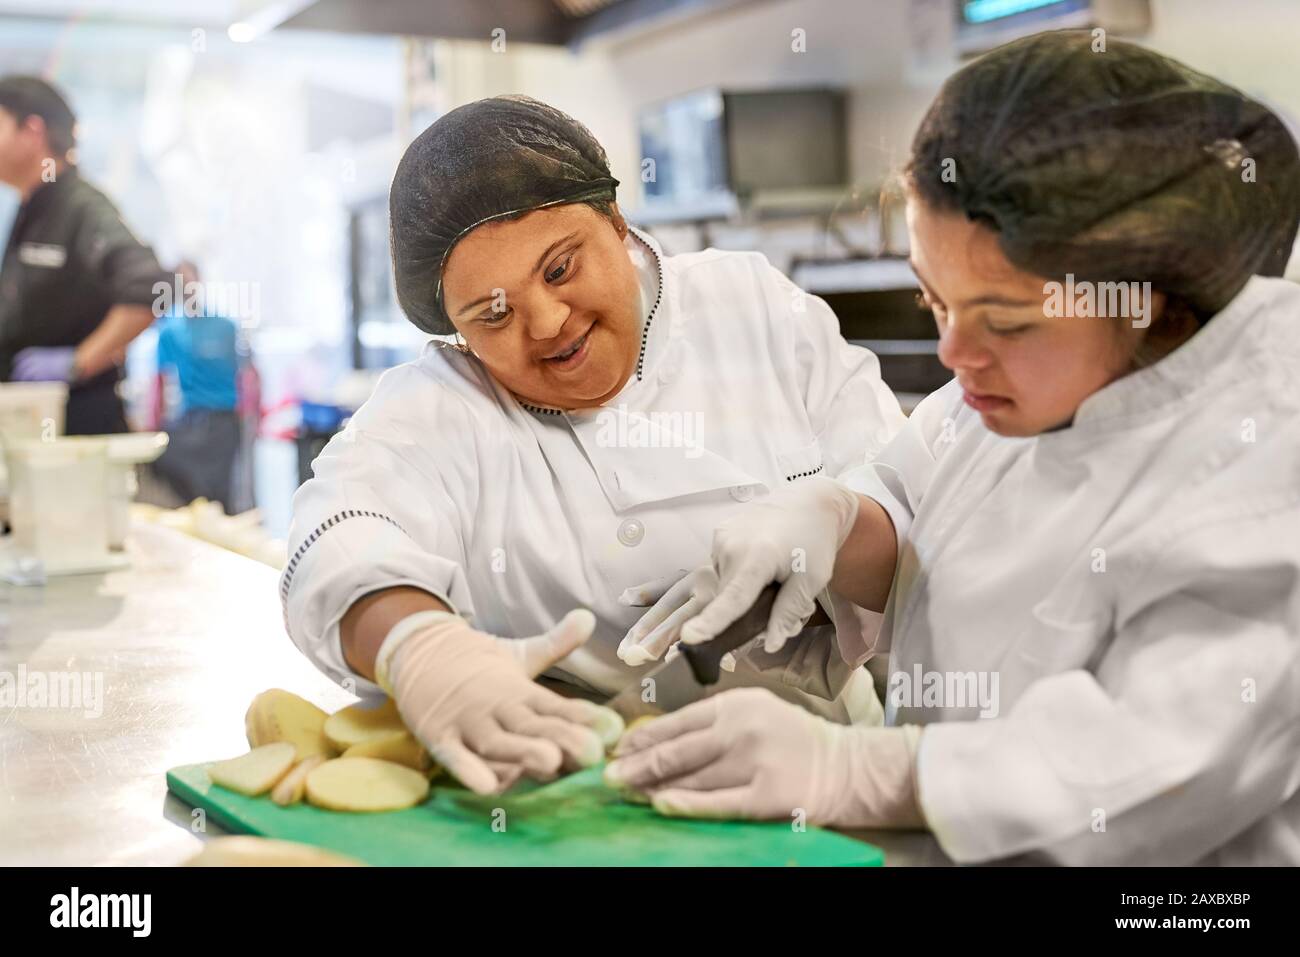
(748, 755)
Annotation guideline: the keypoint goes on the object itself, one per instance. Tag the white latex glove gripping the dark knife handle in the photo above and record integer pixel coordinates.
(792, 538)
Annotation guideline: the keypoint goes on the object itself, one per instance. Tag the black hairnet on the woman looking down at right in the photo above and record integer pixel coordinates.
(1117, 166)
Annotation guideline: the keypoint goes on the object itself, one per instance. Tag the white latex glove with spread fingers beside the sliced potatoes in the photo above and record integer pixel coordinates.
(470, 699)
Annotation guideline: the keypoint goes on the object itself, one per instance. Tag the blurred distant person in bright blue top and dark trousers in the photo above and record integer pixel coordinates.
(200, 353)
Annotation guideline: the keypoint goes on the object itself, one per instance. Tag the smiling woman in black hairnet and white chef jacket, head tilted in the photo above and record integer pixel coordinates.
(603, 409)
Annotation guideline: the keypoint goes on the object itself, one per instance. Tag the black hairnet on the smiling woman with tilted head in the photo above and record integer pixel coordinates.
(487, 161)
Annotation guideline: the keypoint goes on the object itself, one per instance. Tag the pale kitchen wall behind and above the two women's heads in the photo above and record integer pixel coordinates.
(863, 45)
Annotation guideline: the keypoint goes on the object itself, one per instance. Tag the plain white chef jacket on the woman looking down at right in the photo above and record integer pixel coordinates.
(1134, 583)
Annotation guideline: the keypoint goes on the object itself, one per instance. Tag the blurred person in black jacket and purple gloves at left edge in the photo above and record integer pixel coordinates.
(76, 285)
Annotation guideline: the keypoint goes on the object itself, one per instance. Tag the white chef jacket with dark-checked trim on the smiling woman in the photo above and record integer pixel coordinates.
(514, 514)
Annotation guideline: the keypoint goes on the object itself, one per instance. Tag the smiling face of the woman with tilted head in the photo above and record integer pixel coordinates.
(549, 304)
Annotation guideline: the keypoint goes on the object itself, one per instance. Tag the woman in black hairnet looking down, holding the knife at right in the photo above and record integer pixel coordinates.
(1095, 618)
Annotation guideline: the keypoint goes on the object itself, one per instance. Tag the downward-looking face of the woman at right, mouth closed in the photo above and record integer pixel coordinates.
(1024, 369)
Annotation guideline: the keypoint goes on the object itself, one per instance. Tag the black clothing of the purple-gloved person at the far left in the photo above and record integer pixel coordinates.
(68, 262)
